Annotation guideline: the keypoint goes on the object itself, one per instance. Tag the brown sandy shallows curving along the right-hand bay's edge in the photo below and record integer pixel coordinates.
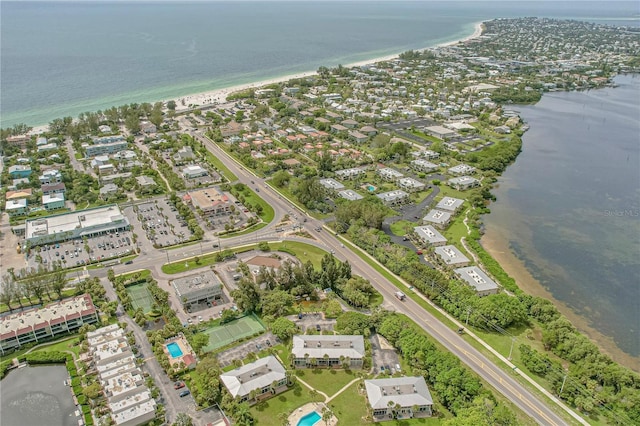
(499, 249)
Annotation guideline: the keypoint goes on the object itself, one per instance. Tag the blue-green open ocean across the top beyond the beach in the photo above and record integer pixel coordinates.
(63, 58)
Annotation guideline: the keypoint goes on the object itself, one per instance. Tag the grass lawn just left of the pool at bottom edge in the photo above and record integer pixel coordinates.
(266, 412)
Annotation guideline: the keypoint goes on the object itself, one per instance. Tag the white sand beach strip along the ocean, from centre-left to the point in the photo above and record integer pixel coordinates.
(219, 96)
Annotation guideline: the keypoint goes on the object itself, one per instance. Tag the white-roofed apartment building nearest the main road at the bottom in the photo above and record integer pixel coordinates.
(398, 398)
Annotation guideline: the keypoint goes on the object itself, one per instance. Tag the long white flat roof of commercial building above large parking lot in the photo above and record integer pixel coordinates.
(69, 222)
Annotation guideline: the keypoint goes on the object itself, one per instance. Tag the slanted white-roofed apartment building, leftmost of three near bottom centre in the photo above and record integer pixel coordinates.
(262, 378)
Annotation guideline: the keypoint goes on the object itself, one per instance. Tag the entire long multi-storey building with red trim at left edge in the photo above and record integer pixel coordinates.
(38, 325)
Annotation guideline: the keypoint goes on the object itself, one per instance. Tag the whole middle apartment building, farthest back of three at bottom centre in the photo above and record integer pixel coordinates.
(327, 351)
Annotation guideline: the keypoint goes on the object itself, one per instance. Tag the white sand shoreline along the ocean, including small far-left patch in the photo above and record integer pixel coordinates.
(219, 96)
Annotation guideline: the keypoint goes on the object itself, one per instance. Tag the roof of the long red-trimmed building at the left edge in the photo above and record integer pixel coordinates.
(54, 313)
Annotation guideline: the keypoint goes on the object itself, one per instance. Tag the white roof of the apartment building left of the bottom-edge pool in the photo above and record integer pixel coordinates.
(255, 375)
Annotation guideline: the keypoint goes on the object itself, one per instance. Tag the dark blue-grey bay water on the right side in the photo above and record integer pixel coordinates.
(569, 208)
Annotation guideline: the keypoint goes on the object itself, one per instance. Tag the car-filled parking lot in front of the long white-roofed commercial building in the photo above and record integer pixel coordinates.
(77, 252)
